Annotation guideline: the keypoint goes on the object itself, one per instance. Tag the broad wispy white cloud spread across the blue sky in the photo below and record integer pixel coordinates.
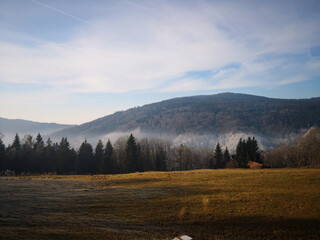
(147, 48)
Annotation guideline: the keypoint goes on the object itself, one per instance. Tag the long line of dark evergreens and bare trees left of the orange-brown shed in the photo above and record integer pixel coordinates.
(126, 155)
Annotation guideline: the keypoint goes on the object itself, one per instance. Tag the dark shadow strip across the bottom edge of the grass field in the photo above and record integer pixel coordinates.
(257, 227)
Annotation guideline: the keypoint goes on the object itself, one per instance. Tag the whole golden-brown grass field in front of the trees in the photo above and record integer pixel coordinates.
(204, 204)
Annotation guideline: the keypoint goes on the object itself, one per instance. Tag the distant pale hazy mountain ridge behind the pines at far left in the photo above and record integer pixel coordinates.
(9, 127)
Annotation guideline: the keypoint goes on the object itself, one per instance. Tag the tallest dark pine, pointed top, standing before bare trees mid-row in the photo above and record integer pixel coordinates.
(131, 155)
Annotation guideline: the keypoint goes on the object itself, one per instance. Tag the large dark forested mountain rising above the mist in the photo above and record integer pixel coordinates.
(218, 115)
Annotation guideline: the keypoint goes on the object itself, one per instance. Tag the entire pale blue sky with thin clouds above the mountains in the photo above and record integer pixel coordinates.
(72, 61)
